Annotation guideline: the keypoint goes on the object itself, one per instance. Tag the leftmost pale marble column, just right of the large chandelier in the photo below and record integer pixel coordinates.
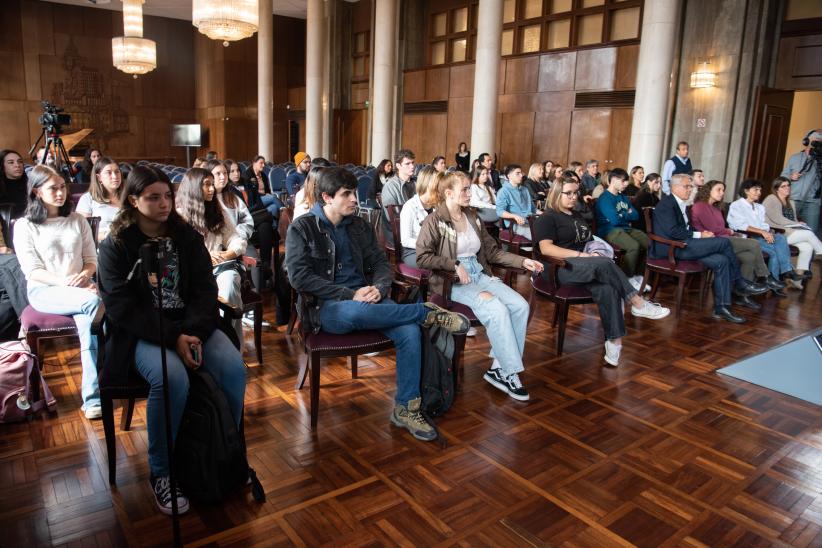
(265, 81)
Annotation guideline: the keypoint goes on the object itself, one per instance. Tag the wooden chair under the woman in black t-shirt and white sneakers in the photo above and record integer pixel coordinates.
(549, 287)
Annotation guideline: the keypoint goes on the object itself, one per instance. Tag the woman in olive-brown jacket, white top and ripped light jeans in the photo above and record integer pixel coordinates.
(454, 238)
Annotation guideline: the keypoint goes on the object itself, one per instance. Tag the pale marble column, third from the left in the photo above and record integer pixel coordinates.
(382, 101)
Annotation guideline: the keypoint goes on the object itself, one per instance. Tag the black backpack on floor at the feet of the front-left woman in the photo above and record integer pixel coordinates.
(209, 452)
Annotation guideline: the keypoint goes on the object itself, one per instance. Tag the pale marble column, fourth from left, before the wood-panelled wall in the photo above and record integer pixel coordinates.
(486, 78)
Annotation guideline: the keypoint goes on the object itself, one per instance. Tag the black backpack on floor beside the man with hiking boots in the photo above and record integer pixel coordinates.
(437, 379)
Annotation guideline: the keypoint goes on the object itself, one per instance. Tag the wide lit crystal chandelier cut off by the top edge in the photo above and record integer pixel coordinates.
(226, 20)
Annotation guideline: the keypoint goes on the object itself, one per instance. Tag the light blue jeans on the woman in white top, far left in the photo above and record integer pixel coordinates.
(81, 305)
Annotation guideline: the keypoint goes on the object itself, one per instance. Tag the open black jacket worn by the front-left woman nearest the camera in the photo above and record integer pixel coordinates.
(130, 313)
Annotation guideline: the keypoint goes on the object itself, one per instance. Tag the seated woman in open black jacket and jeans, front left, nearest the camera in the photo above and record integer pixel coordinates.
(189, 299)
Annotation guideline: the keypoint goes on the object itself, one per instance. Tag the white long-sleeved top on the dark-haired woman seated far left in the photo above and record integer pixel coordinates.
(59, 245)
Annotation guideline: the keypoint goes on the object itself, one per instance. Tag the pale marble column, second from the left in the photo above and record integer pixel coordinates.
(314, 70)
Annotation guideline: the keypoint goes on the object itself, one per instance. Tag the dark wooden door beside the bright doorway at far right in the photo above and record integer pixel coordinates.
(769, 134)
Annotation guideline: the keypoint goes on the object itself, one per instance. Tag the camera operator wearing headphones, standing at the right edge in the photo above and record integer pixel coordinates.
(803, 170)
